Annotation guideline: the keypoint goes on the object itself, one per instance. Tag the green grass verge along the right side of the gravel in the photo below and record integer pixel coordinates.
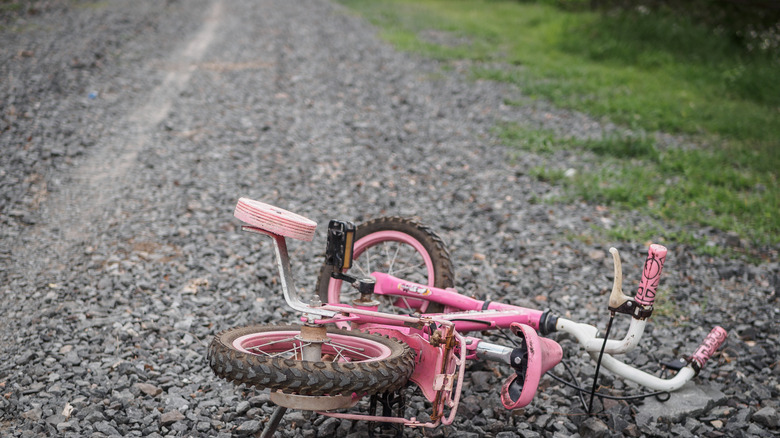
(645, 71)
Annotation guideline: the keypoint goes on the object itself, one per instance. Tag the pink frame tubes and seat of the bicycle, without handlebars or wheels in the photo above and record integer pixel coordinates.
(439, 366)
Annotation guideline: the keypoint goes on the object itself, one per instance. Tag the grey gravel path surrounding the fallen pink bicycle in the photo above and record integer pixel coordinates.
(128, 132)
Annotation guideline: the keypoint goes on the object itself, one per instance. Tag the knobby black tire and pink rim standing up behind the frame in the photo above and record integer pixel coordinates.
(406, 229)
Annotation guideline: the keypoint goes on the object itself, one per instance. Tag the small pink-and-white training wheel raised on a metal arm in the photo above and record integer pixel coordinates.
(275, 220)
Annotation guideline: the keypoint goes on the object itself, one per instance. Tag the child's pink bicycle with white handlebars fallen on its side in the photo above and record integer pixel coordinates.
(346, 349)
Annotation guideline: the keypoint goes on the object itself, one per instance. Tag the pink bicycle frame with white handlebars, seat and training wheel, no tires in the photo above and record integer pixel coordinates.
(441, 348)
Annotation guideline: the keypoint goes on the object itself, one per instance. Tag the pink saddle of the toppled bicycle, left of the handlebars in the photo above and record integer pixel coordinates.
(543, 354)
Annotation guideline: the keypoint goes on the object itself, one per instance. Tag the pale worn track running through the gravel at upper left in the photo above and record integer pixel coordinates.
(72, 215)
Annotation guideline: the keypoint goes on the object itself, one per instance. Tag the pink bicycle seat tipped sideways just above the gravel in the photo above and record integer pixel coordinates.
(534, 358)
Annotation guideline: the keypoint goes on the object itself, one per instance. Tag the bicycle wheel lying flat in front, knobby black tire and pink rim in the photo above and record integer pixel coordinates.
(388, 371)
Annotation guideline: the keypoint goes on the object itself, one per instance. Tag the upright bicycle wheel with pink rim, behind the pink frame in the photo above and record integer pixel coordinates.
(400, 247)
